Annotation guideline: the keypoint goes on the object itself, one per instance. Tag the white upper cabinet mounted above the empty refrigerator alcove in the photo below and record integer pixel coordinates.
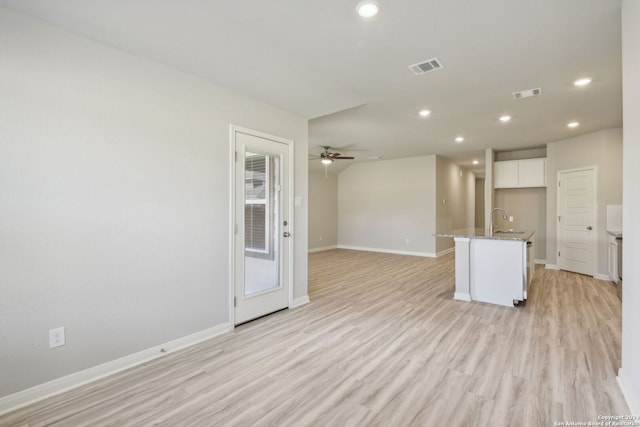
(520, 173)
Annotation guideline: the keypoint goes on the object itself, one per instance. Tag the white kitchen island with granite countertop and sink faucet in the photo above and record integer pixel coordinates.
(494, 267)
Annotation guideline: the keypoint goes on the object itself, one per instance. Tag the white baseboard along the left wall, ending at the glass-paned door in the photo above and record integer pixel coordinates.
(60, 385)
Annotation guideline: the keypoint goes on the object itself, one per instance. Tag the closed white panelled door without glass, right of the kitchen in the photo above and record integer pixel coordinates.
(577, 220)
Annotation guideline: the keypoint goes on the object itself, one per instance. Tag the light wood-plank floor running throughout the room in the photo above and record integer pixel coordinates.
(382, 343)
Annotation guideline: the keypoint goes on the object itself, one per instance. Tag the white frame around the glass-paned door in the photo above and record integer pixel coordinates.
(233, 129)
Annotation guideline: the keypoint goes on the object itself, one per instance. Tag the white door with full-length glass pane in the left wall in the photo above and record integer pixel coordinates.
(262, 220)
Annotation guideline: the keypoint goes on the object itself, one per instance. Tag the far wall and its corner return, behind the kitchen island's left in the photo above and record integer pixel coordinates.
(397, 205)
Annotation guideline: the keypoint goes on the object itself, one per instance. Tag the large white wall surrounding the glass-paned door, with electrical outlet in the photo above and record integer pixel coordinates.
(114, 201)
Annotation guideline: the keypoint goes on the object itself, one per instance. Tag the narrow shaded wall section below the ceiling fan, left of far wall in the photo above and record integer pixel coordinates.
(323, 210)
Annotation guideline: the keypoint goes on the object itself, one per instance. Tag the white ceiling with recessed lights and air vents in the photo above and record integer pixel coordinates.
(350, 76)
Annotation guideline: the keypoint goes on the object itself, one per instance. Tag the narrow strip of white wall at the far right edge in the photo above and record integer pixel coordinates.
(630, 372)
